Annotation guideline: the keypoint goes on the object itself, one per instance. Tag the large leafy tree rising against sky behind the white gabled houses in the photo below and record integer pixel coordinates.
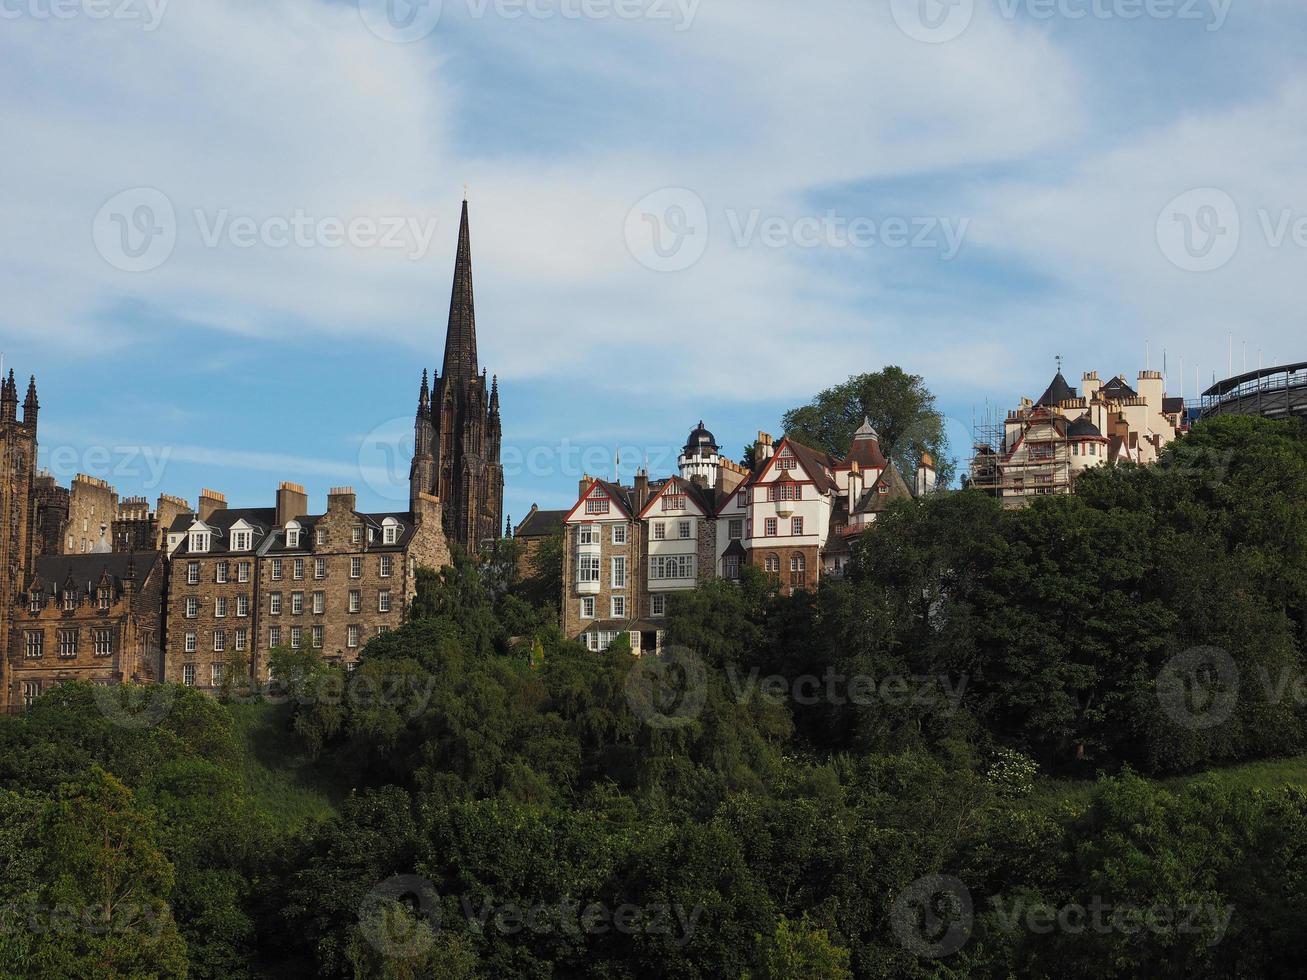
(897, 404)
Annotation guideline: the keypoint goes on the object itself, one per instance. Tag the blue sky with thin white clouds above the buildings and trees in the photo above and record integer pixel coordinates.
(229, 225)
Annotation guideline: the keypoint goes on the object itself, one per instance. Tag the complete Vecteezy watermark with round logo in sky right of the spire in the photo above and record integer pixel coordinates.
(670, 231)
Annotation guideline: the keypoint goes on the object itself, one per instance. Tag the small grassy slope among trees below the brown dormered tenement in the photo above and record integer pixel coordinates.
(290, 787)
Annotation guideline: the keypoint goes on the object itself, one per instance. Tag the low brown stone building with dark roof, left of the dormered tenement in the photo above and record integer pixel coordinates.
(95, 617)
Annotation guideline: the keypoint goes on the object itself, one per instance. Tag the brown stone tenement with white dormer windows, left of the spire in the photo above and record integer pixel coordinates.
(246, 581)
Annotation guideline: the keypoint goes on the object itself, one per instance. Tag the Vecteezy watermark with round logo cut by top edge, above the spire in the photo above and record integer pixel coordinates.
(406, 22)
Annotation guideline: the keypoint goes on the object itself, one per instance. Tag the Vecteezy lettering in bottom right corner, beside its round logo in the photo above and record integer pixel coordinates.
(1101, 917)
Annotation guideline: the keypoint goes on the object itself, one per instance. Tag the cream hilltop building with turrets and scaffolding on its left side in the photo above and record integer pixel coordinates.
(1042, 448)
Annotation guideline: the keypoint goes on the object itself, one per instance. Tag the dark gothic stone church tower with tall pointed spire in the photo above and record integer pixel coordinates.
(458, 432)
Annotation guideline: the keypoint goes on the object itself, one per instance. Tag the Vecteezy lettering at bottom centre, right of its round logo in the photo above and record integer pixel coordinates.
(574, 918)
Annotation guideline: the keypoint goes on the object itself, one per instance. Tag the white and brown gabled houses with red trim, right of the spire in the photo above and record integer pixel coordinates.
(628, 548)
